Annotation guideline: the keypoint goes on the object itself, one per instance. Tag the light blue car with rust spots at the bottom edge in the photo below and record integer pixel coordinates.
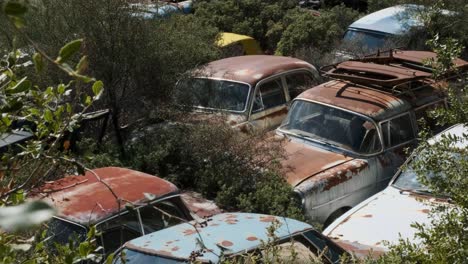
(230, 236)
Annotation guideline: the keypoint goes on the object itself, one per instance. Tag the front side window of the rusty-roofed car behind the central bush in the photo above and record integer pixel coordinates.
(269, 95)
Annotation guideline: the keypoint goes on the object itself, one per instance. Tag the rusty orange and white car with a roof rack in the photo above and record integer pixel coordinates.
(346, 138)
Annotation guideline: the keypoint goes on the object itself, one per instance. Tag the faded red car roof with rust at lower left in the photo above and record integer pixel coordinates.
(84, 200)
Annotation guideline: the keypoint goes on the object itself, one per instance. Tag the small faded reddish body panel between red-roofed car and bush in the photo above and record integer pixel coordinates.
(199, 205)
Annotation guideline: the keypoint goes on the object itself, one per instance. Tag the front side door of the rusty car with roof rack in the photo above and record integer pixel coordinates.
(398, 134)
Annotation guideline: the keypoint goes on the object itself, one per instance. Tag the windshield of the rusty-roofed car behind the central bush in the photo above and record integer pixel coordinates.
(215, 94)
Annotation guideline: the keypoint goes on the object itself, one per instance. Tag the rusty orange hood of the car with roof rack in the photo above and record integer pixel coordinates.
(303, 160)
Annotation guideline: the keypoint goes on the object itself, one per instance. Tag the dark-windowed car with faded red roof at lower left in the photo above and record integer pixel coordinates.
(84, 201)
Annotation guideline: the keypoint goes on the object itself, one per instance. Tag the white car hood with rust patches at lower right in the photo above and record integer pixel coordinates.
(386, 216)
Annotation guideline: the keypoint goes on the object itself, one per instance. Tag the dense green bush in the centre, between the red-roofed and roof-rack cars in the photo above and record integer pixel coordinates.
(216, 161)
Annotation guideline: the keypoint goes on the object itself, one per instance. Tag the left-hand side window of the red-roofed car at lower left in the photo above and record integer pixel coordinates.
(119, 230)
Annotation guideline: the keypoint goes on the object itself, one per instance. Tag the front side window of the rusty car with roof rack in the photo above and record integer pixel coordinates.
(397, 131)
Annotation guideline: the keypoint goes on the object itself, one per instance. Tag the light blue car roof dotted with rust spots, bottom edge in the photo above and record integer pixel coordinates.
(227, 234)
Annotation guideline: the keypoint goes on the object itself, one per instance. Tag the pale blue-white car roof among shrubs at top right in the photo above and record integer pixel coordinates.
(393, 20)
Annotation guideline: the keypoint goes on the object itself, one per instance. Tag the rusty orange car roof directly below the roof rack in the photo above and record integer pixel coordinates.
(377, 104)
